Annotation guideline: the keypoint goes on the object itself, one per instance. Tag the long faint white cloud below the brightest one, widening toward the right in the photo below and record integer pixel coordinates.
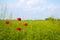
(50, 7)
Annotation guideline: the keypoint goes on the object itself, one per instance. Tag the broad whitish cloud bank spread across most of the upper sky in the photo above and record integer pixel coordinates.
(27, 5)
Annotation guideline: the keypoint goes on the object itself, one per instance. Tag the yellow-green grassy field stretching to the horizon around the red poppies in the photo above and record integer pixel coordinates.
(36, 30)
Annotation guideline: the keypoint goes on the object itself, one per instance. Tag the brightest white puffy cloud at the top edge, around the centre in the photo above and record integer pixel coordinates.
(26, 3)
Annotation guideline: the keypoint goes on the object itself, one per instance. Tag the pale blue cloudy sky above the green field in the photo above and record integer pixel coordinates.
(31, 9)
